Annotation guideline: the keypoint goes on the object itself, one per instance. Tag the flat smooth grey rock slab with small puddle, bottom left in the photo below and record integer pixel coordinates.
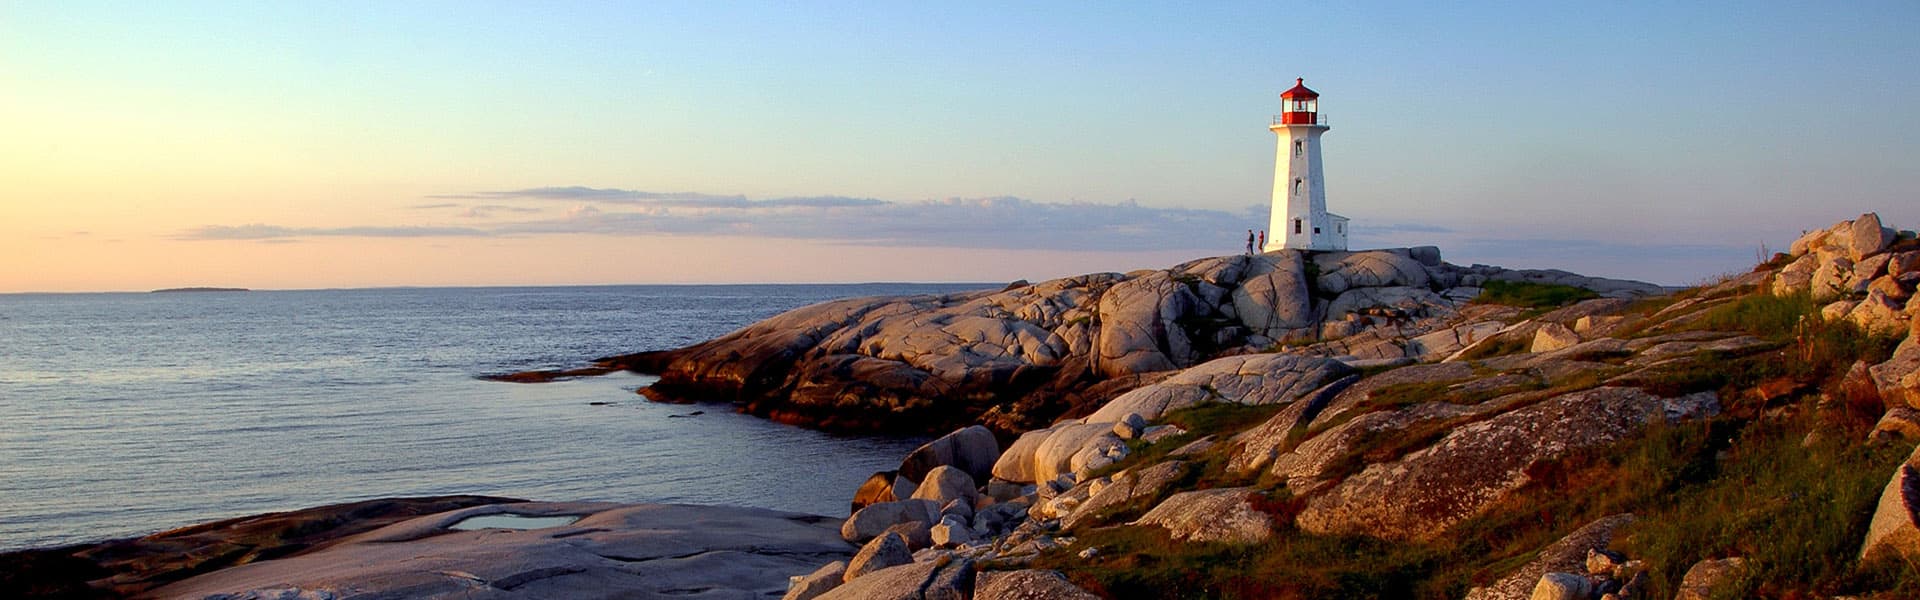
(615, 551)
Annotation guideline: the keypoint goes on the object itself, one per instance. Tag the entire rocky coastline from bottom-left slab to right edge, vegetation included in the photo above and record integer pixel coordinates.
(1333, 424)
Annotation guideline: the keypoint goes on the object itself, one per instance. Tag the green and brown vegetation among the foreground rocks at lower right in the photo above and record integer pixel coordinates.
(1737, 486)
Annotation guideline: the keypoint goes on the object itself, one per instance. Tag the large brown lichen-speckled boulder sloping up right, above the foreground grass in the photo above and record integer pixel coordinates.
(1422, 495)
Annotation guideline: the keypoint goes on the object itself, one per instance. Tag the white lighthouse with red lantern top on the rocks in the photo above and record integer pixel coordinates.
(1301, 218)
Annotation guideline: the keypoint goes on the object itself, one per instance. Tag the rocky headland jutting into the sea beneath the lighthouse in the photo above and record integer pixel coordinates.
(1022, 357)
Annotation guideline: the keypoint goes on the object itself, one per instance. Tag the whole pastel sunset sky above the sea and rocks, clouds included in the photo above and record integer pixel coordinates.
(314, 145)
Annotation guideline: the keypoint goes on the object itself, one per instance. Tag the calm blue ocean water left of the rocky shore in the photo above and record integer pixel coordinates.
(128, 414)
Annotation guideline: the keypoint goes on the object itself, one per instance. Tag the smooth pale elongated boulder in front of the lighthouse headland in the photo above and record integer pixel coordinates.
(1243, 380)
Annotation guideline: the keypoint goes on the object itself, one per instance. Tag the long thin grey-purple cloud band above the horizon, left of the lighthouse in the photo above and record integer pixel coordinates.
(1001, 222)
